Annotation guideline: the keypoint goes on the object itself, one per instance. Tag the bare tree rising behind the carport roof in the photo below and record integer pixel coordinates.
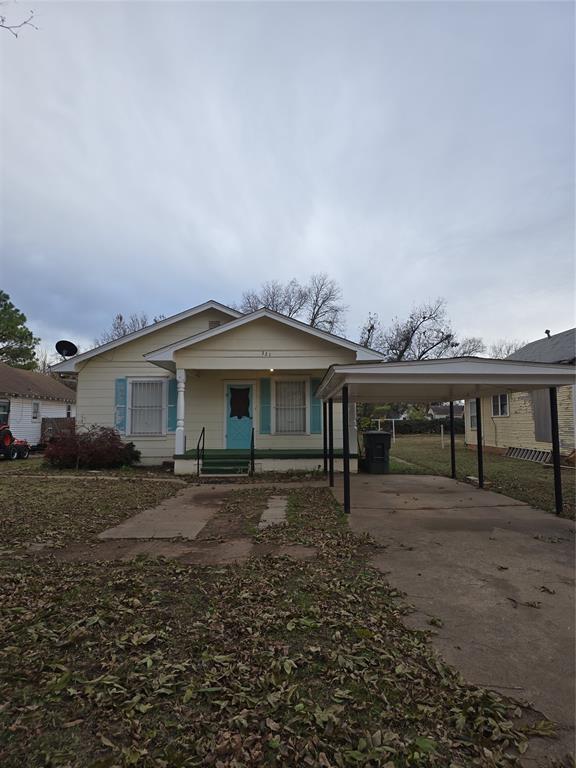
(425, 334)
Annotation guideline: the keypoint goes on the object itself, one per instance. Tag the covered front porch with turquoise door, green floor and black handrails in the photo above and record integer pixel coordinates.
(241, 422)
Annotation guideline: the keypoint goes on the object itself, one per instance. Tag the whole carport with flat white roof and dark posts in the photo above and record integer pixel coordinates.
(444, 380)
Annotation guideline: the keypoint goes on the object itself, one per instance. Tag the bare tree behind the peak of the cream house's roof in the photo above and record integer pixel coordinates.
(318, 303)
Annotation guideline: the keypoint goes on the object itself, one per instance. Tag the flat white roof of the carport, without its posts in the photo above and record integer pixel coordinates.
(457, 378)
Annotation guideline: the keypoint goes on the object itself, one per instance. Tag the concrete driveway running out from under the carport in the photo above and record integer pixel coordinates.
(496, 572)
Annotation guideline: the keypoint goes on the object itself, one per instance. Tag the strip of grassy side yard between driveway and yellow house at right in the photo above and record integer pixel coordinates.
(526, 481)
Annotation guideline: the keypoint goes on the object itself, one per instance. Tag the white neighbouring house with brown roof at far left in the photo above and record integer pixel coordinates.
(27, 397)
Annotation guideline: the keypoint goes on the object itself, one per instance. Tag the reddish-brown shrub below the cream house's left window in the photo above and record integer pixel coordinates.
(92, 448)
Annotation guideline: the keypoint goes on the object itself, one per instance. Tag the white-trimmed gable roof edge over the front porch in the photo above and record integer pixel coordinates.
(166, 353)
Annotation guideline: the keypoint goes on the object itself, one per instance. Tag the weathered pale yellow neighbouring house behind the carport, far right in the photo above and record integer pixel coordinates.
(522, 420)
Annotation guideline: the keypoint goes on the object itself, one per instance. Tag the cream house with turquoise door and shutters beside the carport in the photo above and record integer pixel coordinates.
(213, 375)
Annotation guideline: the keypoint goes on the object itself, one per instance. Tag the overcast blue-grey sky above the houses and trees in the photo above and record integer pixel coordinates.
(158, 154)
